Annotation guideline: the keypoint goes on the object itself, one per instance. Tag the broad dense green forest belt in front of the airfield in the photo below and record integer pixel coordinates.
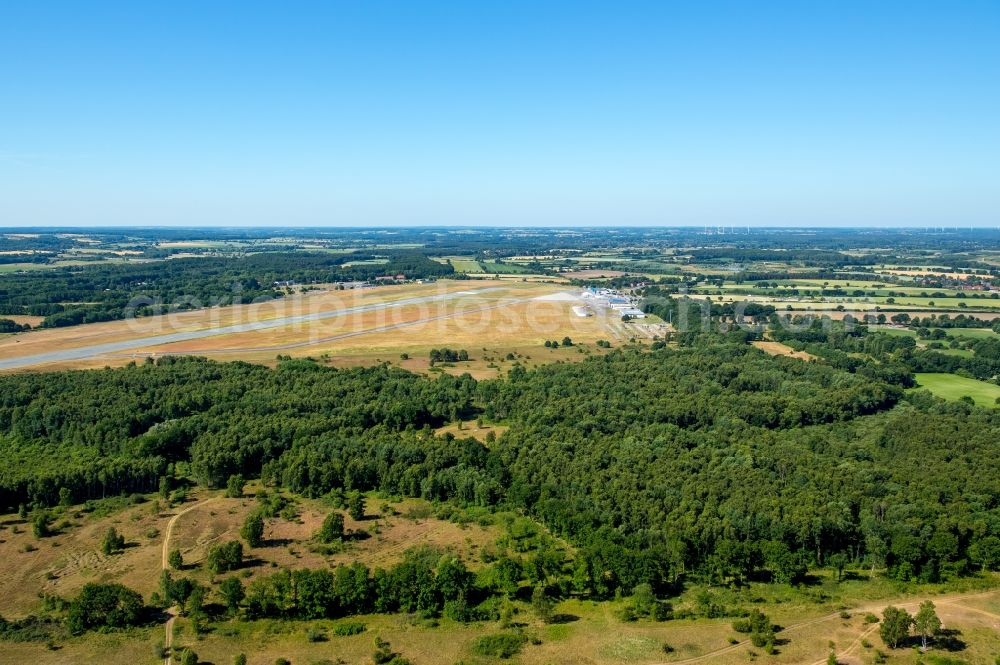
(712, 460)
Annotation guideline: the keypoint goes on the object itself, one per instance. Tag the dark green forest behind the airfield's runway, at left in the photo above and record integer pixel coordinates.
(103, 292)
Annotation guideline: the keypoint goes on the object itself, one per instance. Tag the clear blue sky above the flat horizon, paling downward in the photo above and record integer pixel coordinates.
(370, 112)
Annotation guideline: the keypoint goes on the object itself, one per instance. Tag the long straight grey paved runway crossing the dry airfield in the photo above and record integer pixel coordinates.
(83, 352)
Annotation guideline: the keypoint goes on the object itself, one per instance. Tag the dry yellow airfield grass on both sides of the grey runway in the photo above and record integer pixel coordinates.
(508, 315)
